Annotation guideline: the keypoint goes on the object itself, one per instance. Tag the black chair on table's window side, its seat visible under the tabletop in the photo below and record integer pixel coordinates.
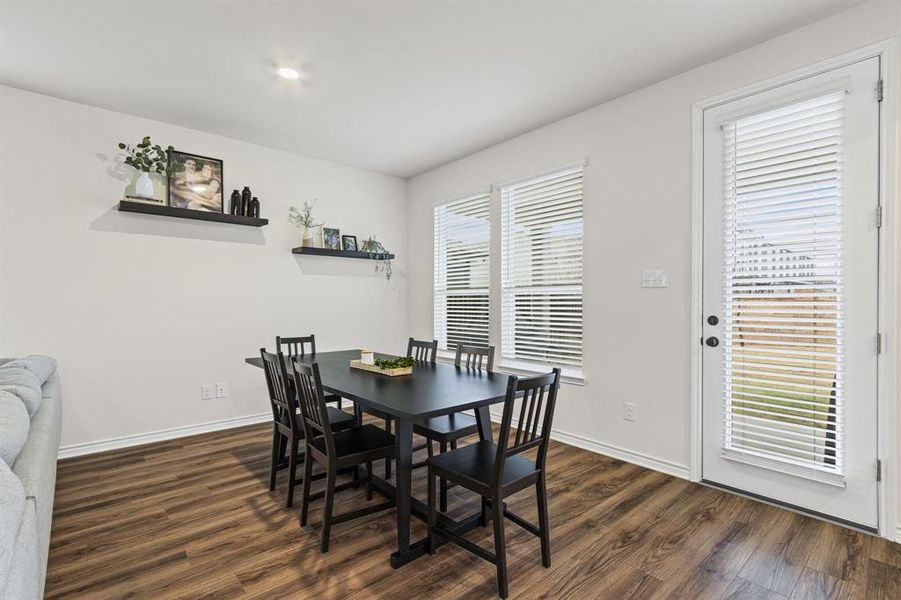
(447, 430)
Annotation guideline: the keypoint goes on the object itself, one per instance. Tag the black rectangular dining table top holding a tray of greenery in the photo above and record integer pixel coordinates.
(430, 391)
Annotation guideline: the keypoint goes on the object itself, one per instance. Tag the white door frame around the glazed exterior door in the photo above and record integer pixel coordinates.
(889, 260)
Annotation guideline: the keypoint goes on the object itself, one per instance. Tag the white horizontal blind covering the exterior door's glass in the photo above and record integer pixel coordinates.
(783, 388)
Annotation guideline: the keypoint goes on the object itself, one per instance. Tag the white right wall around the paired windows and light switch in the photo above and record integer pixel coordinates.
(637, 216)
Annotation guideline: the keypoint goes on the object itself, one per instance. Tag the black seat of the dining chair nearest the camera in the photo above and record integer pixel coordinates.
(475, 462)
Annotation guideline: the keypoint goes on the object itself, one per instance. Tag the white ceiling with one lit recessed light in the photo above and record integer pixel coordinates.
(396, 87)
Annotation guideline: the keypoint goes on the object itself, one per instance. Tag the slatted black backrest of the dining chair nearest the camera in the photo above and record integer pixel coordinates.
(539, 397)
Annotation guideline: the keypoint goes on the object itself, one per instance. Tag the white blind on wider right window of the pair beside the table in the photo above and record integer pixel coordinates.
(541, 269)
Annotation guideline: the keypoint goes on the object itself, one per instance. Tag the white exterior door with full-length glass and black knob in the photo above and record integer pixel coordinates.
(790, 293)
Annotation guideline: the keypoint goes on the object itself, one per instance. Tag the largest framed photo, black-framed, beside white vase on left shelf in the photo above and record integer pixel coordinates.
(195, 182)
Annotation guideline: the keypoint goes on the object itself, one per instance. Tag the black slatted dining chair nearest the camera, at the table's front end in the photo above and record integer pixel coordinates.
(496, 471)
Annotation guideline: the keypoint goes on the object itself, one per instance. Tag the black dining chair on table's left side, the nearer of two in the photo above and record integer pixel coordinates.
(335, 450)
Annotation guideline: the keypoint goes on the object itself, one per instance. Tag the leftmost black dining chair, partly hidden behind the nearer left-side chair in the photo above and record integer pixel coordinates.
(287, 430)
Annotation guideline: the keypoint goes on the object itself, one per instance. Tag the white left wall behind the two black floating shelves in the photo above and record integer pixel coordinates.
(142, 310)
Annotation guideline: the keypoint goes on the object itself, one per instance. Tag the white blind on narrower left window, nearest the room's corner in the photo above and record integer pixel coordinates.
(462, 240)
